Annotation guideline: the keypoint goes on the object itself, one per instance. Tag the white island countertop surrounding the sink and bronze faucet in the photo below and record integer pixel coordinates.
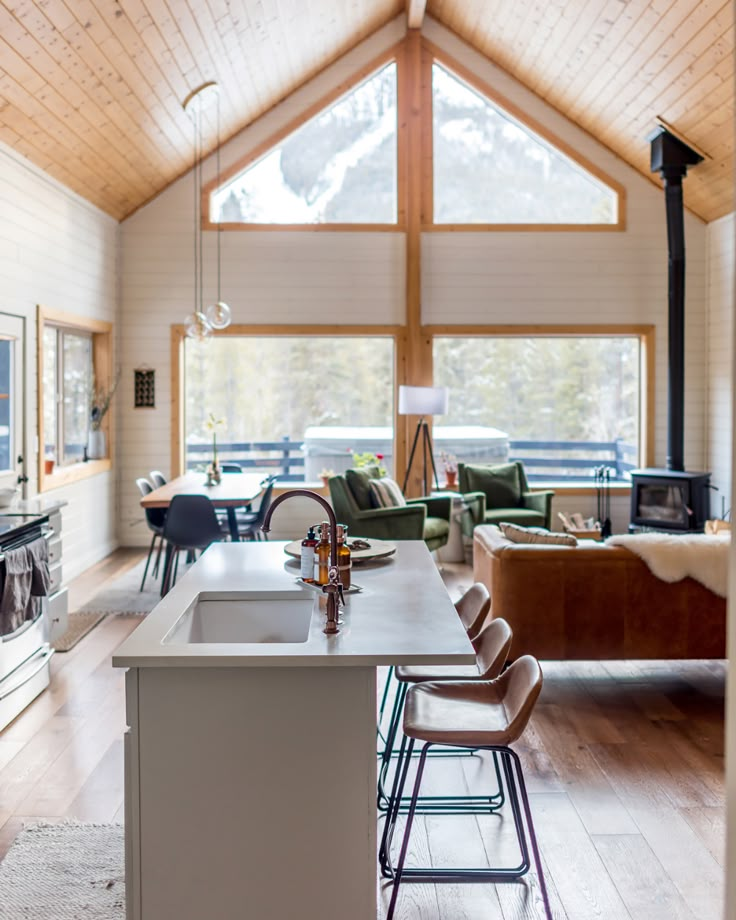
(403, 615)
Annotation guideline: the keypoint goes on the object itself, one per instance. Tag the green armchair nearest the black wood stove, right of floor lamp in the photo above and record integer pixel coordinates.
(507, 495)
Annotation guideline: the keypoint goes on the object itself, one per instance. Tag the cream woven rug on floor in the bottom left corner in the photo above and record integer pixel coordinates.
(64, 872)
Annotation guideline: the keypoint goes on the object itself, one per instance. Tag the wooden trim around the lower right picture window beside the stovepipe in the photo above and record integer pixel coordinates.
(644, 332)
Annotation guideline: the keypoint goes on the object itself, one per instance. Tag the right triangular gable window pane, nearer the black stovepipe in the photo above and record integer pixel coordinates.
(491, 169)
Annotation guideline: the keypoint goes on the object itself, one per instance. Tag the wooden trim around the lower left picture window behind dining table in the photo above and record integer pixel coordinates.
(178, 336)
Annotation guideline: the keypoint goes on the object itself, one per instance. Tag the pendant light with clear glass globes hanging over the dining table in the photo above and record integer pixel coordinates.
(200, 323)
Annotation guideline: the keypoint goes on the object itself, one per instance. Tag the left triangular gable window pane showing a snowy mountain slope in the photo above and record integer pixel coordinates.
(340, 167)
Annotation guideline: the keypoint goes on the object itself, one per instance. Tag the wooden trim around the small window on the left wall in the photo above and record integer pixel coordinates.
(102, 362)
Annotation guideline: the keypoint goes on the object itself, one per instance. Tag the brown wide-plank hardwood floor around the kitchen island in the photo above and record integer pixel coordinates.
(624, 763)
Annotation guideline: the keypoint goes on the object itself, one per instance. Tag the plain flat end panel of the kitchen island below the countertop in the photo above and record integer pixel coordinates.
(257, 793)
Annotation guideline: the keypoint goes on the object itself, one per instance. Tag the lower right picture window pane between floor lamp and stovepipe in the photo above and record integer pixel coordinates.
(562, 404)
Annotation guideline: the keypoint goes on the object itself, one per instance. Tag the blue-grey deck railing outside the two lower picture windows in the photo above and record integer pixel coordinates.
(560, 461)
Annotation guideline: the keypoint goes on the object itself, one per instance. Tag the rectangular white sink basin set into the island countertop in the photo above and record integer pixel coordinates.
(244, 617)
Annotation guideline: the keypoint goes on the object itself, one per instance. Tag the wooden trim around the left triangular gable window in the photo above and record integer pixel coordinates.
(395, 55)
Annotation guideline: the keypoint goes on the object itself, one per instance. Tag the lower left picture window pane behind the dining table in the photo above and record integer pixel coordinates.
(292, 405)
